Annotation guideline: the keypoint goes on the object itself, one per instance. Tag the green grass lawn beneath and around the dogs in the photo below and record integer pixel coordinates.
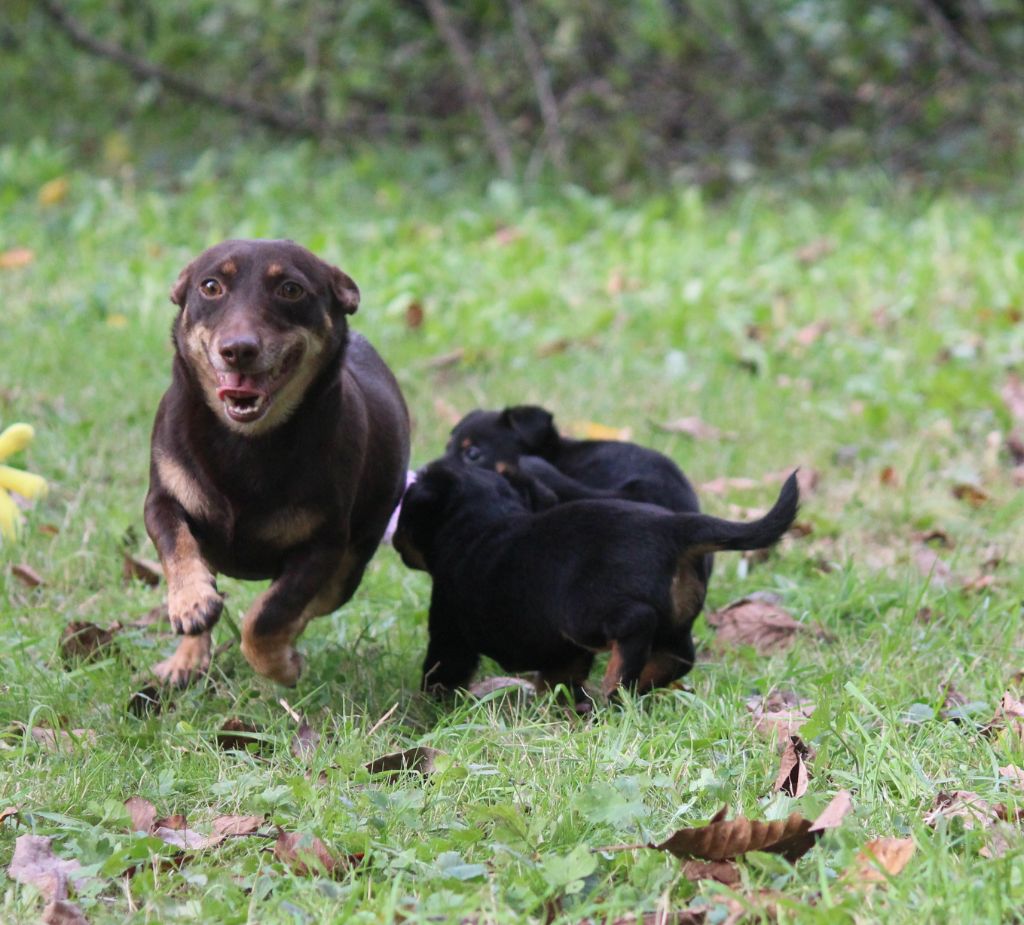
(622, 314)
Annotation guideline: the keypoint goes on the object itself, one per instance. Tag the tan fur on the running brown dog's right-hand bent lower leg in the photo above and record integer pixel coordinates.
(273, 655)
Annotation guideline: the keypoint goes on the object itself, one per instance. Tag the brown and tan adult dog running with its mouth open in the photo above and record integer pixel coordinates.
(279, 452)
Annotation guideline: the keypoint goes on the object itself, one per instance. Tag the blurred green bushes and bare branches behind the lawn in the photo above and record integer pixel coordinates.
(599, 93)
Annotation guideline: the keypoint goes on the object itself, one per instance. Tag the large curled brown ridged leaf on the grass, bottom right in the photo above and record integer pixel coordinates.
(722, 839)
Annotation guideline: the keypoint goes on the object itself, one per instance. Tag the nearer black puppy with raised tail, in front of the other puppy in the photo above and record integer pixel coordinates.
(546, 592)
